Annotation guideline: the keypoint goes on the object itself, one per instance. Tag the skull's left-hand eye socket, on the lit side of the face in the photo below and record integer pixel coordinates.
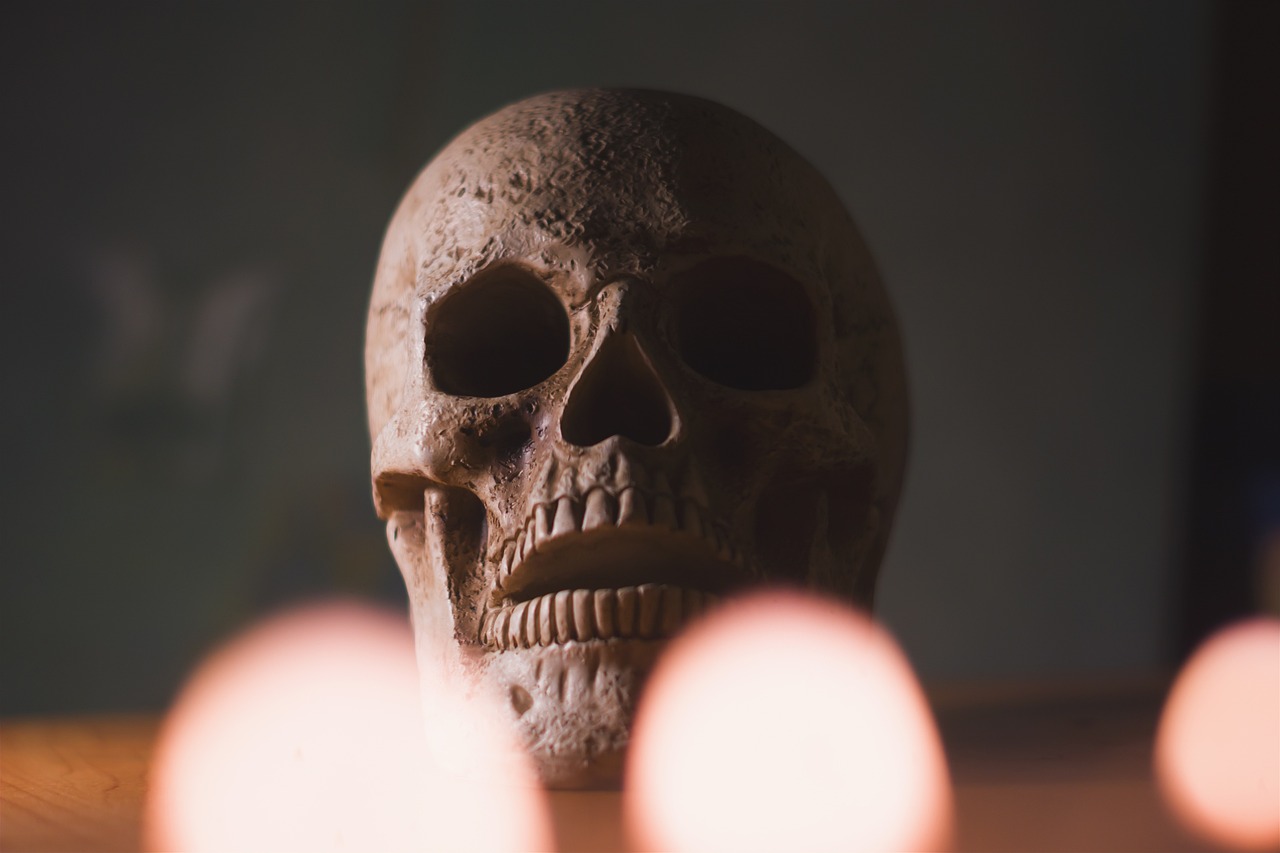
(500, 334)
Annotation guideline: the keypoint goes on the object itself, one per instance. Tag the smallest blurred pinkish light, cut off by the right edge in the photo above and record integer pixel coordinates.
(1218, 750)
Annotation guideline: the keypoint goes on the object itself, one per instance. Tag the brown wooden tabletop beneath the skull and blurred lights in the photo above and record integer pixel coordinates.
(1050, 768)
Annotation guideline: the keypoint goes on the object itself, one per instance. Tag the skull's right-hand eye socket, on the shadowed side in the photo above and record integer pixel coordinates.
(746, 325)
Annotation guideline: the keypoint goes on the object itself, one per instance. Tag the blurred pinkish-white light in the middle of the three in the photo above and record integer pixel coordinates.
(787, 723)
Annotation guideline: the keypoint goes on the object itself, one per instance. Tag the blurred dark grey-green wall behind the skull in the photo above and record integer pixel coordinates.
(194, 203)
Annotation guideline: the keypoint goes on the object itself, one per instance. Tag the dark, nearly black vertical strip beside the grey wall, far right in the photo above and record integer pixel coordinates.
(1233, 516)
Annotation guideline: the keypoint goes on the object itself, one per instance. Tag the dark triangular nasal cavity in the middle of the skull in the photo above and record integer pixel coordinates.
(618, 395)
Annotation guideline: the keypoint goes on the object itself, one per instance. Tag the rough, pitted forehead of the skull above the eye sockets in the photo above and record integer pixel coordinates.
(625, 179)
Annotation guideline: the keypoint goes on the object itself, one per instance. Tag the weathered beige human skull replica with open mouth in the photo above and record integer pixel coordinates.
(627, 354)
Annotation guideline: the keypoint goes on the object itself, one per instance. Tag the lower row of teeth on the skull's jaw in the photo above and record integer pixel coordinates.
(648, 612)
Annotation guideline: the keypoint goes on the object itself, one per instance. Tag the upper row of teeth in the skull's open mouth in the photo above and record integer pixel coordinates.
(632, 508)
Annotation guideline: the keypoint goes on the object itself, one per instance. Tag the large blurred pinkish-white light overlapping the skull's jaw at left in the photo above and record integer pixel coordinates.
(307, 735)
